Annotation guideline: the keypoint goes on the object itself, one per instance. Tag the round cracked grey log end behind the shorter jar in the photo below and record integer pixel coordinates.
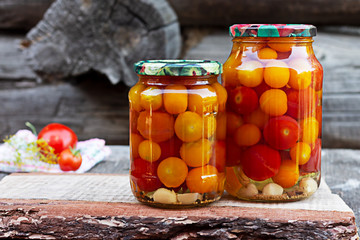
(106, 36)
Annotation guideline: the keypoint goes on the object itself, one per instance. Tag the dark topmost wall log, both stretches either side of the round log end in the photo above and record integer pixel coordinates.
(24, 14)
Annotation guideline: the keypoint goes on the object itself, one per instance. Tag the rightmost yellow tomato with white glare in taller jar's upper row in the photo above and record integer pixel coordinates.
(300, 73)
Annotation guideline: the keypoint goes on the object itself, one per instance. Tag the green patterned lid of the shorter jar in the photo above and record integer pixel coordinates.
(178, 67)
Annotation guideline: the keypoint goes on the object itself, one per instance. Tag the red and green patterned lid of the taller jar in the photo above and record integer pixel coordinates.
(272, 30)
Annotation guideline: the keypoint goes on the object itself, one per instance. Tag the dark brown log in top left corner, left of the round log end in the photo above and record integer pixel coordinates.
(22, 14)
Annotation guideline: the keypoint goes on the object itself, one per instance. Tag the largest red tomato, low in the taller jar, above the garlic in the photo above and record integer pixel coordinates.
(260, 162)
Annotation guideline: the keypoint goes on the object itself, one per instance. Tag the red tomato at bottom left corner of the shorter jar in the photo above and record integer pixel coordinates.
(144, 175)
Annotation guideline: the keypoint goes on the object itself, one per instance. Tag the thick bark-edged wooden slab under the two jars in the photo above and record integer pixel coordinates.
(41, 205)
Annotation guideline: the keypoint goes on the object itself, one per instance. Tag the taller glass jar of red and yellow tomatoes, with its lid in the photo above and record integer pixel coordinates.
(274, 114)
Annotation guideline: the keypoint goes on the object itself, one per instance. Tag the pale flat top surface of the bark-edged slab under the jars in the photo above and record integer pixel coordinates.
(116, 188)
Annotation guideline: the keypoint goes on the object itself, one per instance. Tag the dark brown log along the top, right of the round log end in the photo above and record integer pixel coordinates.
(223, 13)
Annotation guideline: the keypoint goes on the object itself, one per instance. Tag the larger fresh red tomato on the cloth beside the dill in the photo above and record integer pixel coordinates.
(58, 136)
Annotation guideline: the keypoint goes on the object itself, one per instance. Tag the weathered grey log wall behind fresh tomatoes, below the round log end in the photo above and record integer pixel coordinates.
(90, 105)
